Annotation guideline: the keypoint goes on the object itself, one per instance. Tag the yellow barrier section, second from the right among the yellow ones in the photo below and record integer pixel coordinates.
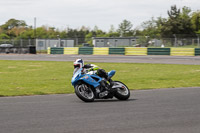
(135, 51)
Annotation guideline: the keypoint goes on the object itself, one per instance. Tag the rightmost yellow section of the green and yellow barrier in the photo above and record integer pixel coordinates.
(182, 51)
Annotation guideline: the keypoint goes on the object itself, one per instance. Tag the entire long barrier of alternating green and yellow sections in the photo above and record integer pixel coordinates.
(125, 51)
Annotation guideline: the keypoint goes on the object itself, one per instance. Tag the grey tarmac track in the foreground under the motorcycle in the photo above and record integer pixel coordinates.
(152, 111)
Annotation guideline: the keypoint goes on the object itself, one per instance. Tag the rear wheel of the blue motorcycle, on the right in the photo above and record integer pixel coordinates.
(122, 91)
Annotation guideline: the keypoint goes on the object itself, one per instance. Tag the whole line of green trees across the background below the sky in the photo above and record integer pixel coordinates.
(180, 22)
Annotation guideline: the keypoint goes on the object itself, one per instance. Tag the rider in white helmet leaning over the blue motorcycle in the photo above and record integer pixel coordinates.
(92, 69)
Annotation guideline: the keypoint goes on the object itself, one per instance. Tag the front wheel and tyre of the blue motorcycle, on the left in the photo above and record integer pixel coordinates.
(84, 92)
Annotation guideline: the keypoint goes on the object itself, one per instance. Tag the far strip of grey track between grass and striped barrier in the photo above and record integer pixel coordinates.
(193, 60)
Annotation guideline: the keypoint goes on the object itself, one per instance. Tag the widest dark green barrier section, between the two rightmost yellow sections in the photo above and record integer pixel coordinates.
(158, 51)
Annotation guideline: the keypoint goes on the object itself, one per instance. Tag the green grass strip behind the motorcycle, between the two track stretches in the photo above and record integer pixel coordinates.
(45, 77)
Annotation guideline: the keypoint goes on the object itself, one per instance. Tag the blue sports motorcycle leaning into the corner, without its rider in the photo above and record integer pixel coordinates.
(90, 86)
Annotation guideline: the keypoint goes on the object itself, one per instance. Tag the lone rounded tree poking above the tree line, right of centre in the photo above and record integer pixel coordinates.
(125, 28)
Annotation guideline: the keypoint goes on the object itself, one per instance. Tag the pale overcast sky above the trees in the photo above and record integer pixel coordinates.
(90, 13)
